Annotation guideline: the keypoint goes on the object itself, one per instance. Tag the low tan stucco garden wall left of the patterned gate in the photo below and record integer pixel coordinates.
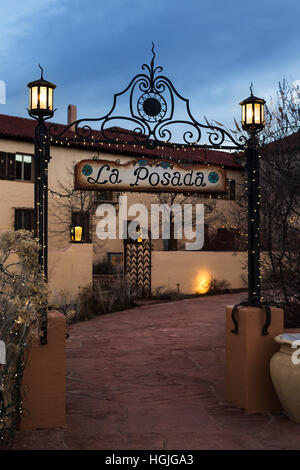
(69, 269)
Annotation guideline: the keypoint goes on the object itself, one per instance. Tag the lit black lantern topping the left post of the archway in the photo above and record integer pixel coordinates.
(41, 97)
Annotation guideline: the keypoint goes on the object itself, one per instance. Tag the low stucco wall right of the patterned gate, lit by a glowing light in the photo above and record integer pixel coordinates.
(191, 267)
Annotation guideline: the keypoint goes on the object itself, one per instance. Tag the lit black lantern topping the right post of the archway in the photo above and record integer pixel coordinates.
(253, 113)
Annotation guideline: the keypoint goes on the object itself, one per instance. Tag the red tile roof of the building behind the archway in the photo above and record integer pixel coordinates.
(17, 128)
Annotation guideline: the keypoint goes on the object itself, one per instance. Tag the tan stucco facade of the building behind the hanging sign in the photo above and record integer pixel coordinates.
(17, 194)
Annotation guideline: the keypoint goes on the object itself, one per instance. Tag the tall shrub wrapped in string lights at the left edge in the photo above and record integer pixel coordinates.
(23, 295)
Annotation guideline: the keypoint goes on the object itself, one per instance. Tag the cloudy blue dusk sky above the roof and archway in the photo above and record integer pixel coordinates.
(91, 49)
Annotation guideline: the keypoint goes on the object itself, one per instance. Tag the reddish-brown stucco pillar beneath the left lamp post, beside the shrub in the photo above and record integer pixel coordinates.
(44, 380)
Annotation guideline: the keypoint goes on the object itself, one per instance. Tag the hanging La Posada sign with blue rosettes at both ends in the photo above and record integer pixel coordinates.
(149, 176)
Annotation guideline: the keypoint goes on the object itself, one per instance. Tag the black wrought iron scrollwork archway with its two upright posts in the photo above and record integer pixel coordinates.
(152, 101)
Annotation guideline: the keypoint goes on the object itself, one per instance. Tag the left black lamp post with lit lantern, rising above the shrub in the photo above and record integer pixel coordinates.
(41, 109)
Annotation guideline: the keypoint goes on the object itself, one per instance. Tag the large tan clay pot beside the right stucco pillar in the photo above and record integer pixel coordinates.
(285, 374)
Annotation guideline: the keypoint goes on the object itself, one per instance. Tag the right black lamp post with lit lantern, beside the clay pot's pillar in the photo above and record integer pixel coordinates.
(253, 122)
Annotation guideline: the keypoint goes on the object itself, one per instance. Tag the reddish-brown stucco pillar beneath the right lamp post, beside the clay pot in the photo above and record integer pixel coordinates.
(248, 354)
